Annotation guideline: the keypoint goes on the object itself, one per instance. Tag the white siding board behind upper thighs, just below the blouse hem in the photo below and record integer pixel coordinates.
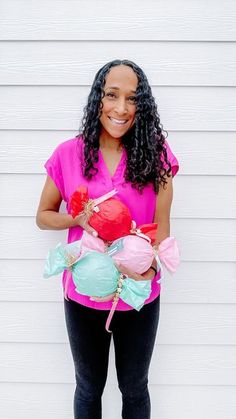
(195, 324)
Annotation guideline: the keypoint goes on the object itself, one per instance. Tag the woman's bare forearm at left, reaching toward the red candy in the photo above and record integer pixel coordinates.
(53, 220)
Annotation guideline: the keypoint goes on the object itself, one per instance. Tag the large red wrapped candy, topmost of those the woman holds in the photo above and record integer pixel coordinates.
(108, 216)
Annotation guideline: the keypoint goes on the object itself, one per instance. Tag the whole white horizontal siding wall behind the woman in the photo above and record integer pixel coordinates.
(49, 52)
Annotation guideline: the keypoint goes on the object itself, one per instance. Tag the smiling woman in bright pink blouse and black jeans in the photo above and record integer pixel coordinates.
(121, 145)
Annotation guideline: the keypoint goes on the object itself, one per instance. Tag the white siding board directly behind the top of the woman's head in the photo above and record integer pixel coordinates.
(75, 63)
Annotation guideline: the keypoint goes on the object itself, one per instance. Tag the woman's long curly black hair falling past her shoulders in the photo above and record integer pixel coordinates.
(144, 141)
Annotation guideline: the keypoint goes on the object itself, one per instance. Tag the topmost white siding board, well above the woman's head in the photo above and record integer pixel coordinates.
(165, 20)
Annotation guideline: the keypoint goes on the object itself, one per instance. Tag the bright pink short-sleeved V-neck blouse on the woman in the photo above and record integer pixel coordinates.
(65, 169)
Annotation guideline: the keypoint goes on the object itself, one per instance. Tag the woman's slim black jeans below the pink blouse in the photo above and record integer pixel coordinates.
(134, 337)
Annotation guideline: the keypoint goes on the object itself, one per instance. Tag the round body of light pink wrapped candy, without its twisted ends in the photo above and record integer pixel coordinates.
(135, 253)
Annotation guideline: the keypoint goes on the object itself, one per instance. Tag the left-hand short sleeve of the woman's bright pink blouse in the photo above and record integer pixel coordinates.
(54, 170)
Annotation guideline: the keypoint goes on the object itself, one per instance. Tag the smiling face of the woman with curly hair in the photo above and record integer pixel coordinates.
(119, 107)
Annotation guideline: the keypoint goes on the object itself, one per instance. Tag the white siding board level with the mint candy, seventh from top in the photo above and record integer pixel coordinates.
(194, 282)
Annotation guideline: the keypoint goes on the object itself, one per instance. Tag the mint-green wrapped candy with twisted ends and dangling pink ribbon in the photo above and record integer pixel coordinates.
(95, 274)
